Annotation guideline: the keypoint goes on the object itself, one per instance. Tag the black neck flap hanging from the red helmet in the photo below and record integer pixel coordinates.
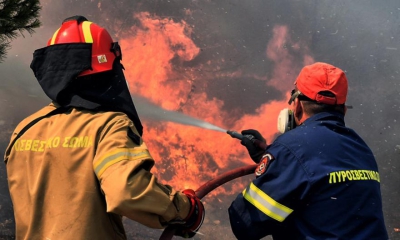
(57, 69)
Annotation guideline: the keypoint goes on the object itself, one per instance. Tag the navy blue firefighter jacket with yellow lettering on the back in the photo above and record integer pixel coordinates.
(322, 182)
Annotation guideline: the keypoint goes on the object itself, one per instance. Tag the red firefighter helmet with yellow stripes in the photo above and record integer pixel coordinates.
(78, 29)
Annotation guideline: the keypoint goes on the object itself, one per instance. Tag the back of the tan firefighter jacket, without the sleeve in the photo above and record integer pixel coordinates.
(54, 189)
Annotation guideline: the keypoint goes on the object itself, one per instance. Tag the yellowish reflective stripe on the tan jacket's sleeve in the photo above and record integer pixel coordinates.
(119, 155)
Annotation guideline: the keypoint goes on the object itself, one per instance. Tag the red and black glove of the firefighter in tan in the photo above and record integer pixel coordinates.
(195, 218)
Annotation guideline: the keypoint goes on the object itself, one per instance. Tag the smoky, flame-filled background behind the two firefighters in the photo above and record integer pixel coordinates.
(197, 68)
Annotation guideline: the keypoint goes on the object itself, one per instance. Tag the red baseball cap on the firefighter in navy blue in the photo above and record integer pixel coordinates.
(318, 77)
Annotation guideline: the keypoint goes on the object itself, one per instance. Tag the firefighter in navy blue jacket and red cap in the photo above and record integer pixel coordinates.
(318, 180)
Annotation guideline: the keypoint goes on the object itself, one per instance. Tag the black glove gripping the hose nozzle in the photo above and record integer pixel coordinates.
(254, 150)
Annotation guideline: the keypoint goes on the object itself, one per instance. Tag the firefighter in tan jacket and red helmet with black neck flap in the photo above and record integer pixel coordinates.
(78, 165)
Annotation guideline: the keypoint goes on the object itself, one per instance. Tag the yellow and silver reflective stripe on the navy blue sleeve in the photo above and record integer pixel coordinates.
(265, 203)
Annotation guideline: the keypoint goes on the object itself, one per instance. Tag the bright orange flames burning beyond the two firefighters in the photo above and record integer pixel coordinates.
(186, 156)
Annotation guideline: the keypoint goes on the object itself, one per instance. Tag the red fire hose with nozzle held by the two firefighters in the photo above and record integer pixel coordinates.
(206, 188)
